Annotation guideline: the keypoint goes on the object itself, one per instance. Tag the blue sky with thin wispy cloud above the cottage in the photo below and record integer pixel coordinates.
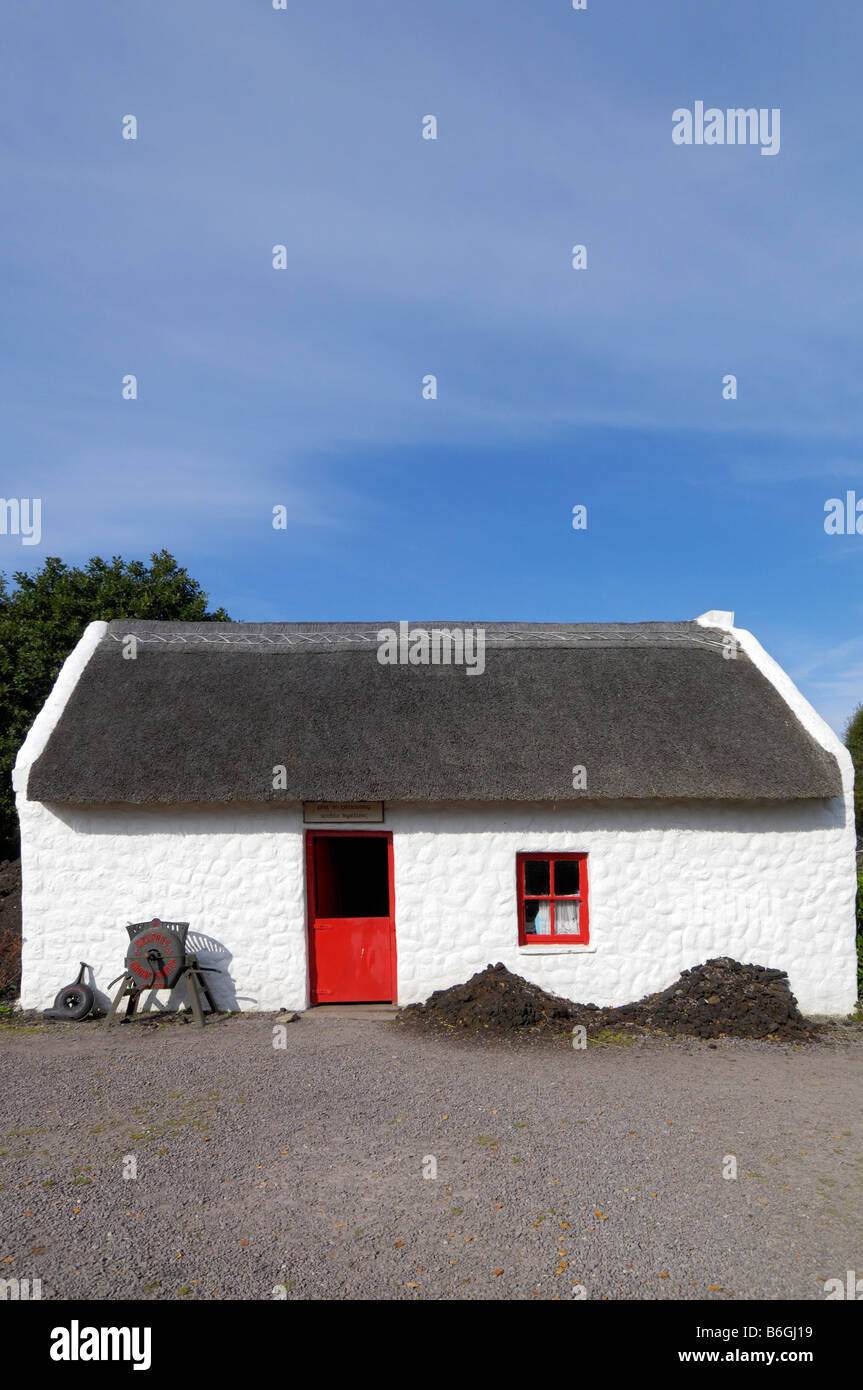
(450, 256)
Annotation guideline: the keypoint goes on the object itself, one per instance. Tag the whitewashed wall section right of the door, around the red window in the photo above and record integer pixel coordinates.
(669, 888)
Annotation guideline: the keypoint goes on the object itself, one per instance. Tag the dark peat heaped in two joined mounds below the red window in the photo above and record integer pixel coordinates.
(721, 999)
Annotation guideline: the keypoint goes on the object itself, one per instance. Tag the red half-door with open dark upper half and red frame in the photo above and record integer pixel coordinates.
(351, 917)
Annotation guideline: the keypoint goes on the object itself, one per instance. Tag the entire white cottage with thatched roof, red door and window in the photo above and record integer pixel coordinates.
(347, 812)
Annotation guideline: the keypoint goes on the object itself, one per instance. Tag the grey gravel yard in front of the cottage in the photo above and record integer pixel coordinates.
(304, 1167)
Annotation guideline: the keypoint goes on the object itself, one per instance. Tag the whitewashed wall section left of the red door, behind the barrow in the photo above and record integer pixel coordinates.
(234, 874)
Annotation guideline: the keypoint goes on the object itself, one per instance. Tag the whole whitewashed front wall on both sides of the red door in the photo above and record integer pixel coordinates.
(671, 886)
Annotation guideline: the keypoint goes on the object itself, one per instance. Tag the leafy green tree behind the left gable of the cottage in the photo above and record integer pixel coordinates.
(42, 619)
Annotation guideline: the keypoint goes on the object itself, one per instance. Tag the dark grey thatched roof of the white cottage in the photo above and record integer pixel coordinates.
(208, 711)
